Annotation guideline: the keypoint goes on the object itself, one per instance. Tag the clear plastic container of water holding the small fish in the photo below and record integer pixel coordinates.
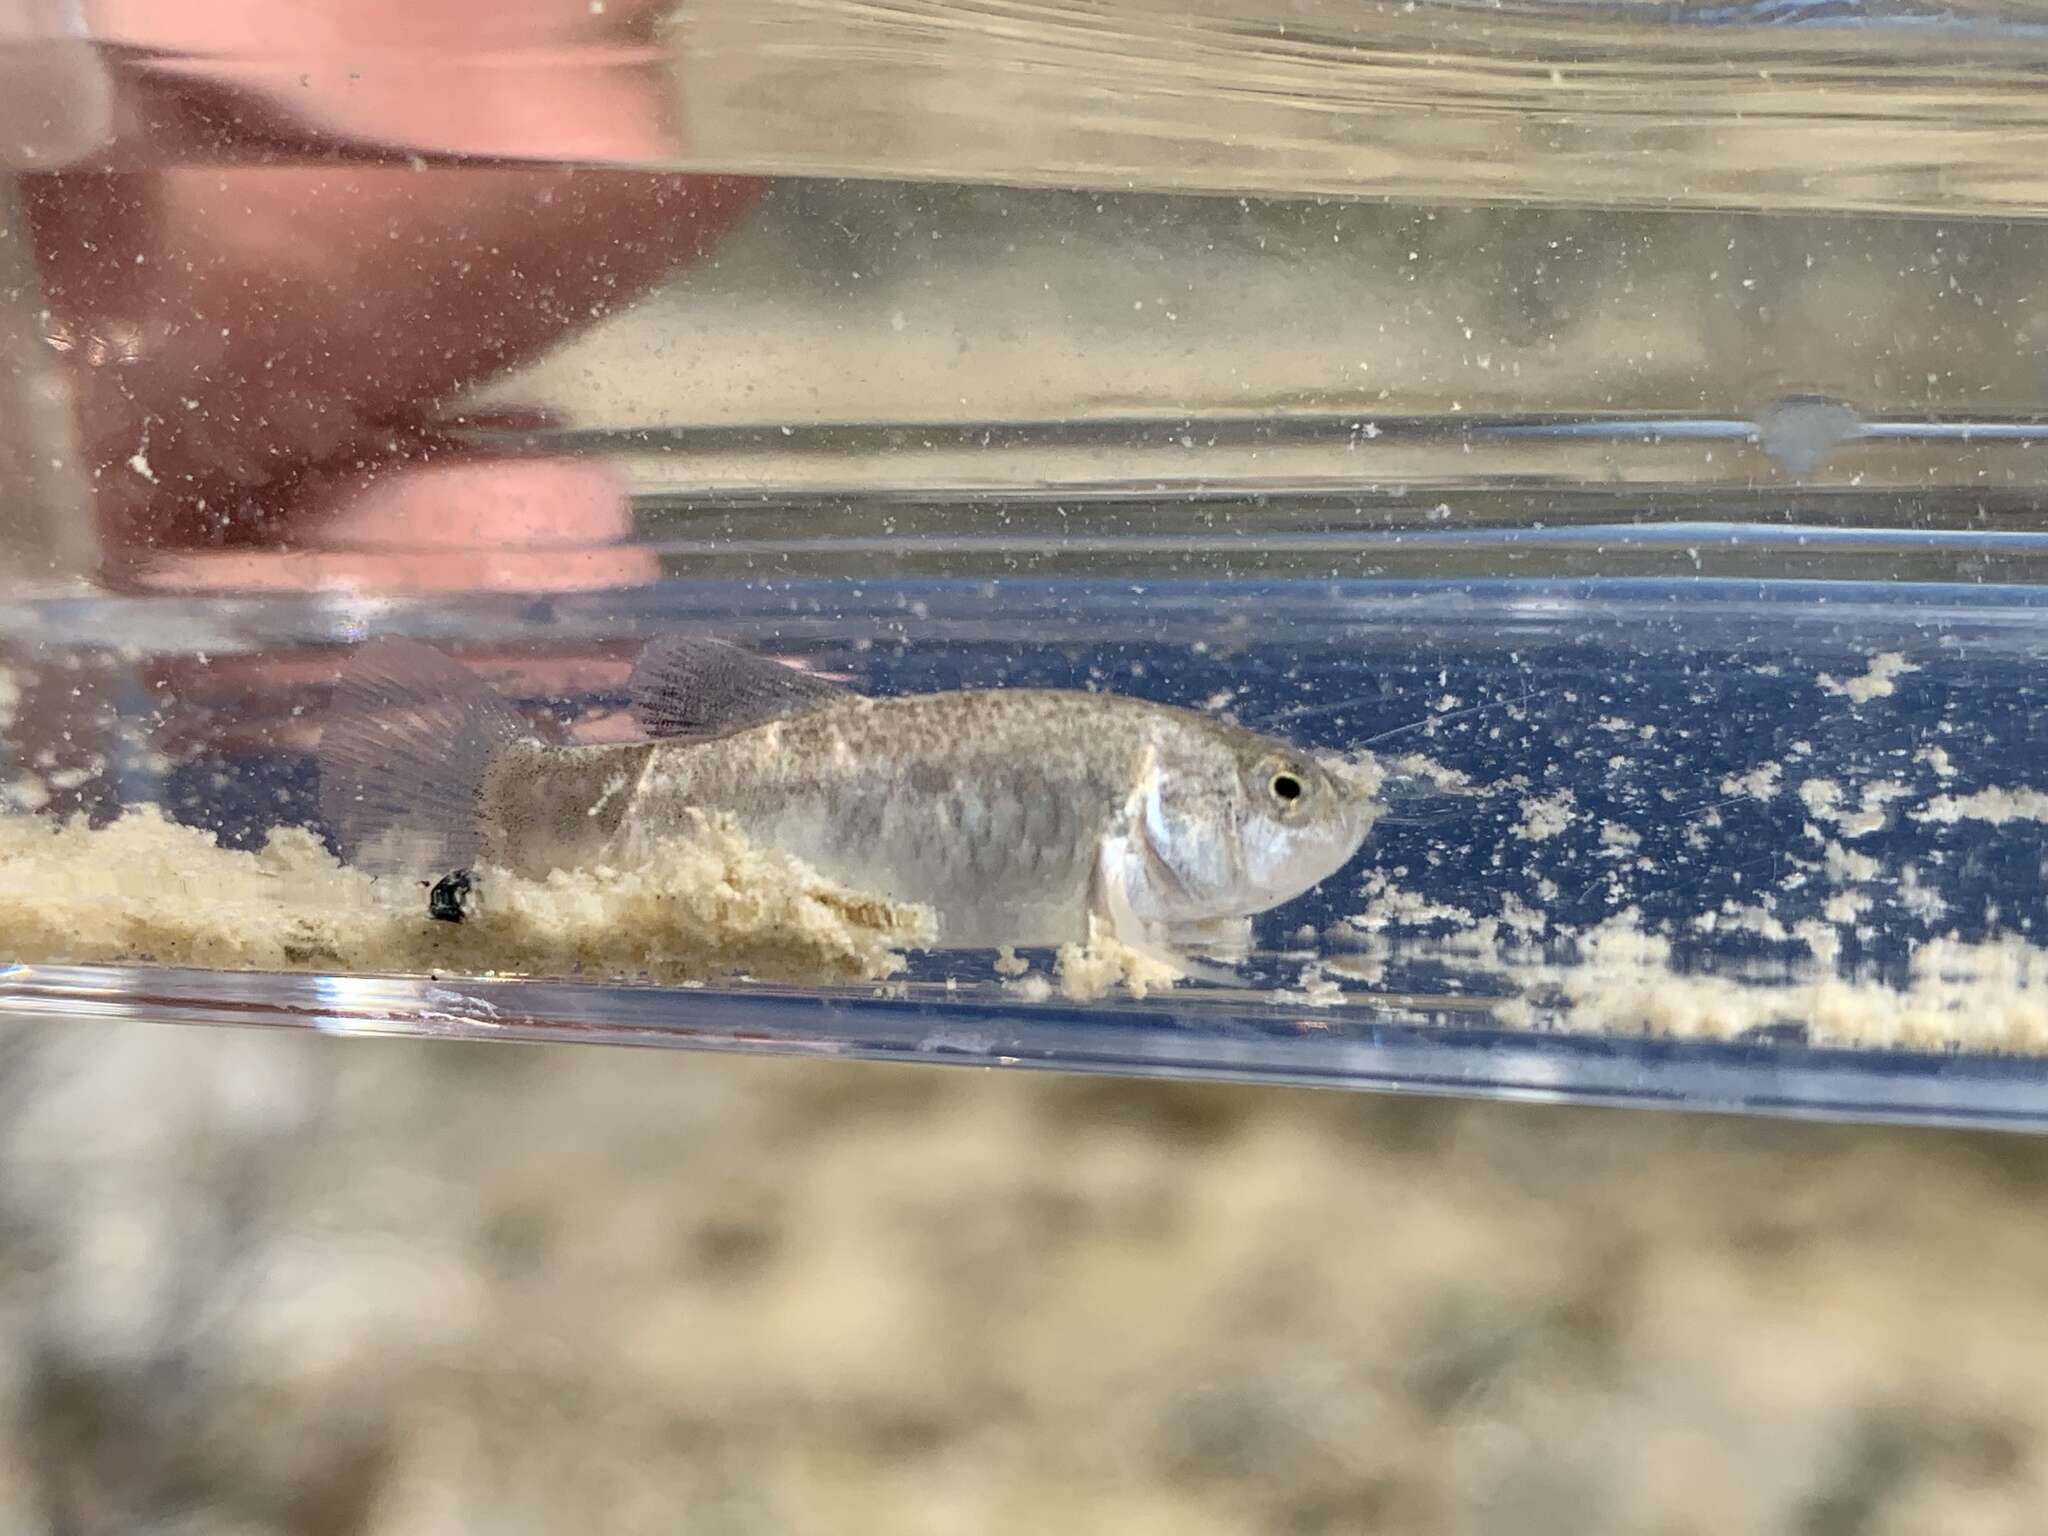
(1621, 421)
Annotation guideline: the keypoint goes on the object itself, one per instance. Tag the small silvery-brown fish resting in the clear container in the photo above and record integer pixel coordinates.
(1017, 814)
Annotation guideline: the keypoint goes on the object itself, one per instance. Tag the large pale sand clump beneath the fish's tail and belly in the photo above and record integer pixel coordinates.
(146, 890)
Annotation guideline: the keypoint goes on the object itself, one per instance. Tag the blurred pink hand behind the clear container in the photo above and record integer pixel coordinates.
(259, 349)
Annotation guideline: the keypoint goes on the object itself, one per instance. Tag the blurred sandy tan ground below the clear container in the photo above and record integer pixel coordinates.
(292, 1285)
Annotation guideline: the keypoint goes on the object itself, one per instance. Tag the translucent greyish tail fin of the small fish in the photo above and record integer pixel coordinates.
(402, 759)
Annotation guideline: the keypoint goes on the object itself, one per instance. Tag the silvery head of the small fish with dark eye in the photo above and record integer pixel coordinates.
(1265, 824)
